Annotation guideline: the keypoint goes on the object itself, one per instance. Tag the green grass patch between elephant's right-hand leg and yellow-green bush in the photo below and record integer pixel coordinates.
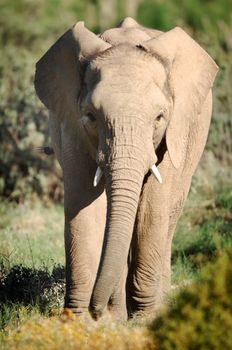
(204, 229)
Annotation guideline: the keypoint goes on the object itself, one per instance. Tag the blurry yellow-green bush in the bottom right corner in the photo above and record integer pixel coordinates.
(200, 317)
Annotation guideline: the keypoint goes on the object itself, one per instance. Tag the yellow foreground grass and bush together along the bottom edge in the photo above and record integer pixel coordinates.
(199, 316)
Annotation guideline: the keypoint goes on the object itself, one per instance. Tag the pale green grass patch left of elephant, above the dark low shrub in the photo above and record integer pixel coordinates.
(31, 235)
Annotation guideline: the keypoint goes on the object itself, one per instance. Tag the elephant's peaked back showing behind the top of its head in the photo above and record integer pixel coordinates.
(129, 32)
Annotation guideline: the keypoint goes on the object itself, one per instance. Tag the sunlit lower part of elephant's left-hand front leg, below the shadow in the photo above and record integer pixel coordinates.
(83, 244)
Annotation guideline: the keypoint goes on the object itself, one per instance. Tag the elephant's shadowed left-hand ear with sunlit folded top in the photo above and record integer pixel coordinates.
(58, 72)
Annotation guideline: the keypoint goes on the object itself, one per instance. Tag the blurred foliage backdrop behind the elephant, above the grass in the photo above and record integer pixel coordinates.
(27, 30)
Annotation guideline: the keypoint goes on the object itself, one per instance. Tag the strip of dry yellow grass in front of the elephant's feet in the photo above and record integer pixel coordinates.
(67, 332)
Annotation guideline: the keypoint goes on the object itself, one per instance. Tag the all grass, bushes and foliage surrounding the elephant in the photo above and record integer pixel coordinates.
(31, 226)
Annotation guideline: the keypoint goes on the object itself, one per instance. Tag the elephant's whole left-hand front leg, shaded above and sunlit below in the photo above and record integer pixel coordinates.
(85, 212)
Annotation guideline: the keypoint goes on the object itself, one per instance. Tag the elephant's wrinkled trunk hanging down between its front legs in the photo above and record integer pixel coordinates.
(124, 178)
